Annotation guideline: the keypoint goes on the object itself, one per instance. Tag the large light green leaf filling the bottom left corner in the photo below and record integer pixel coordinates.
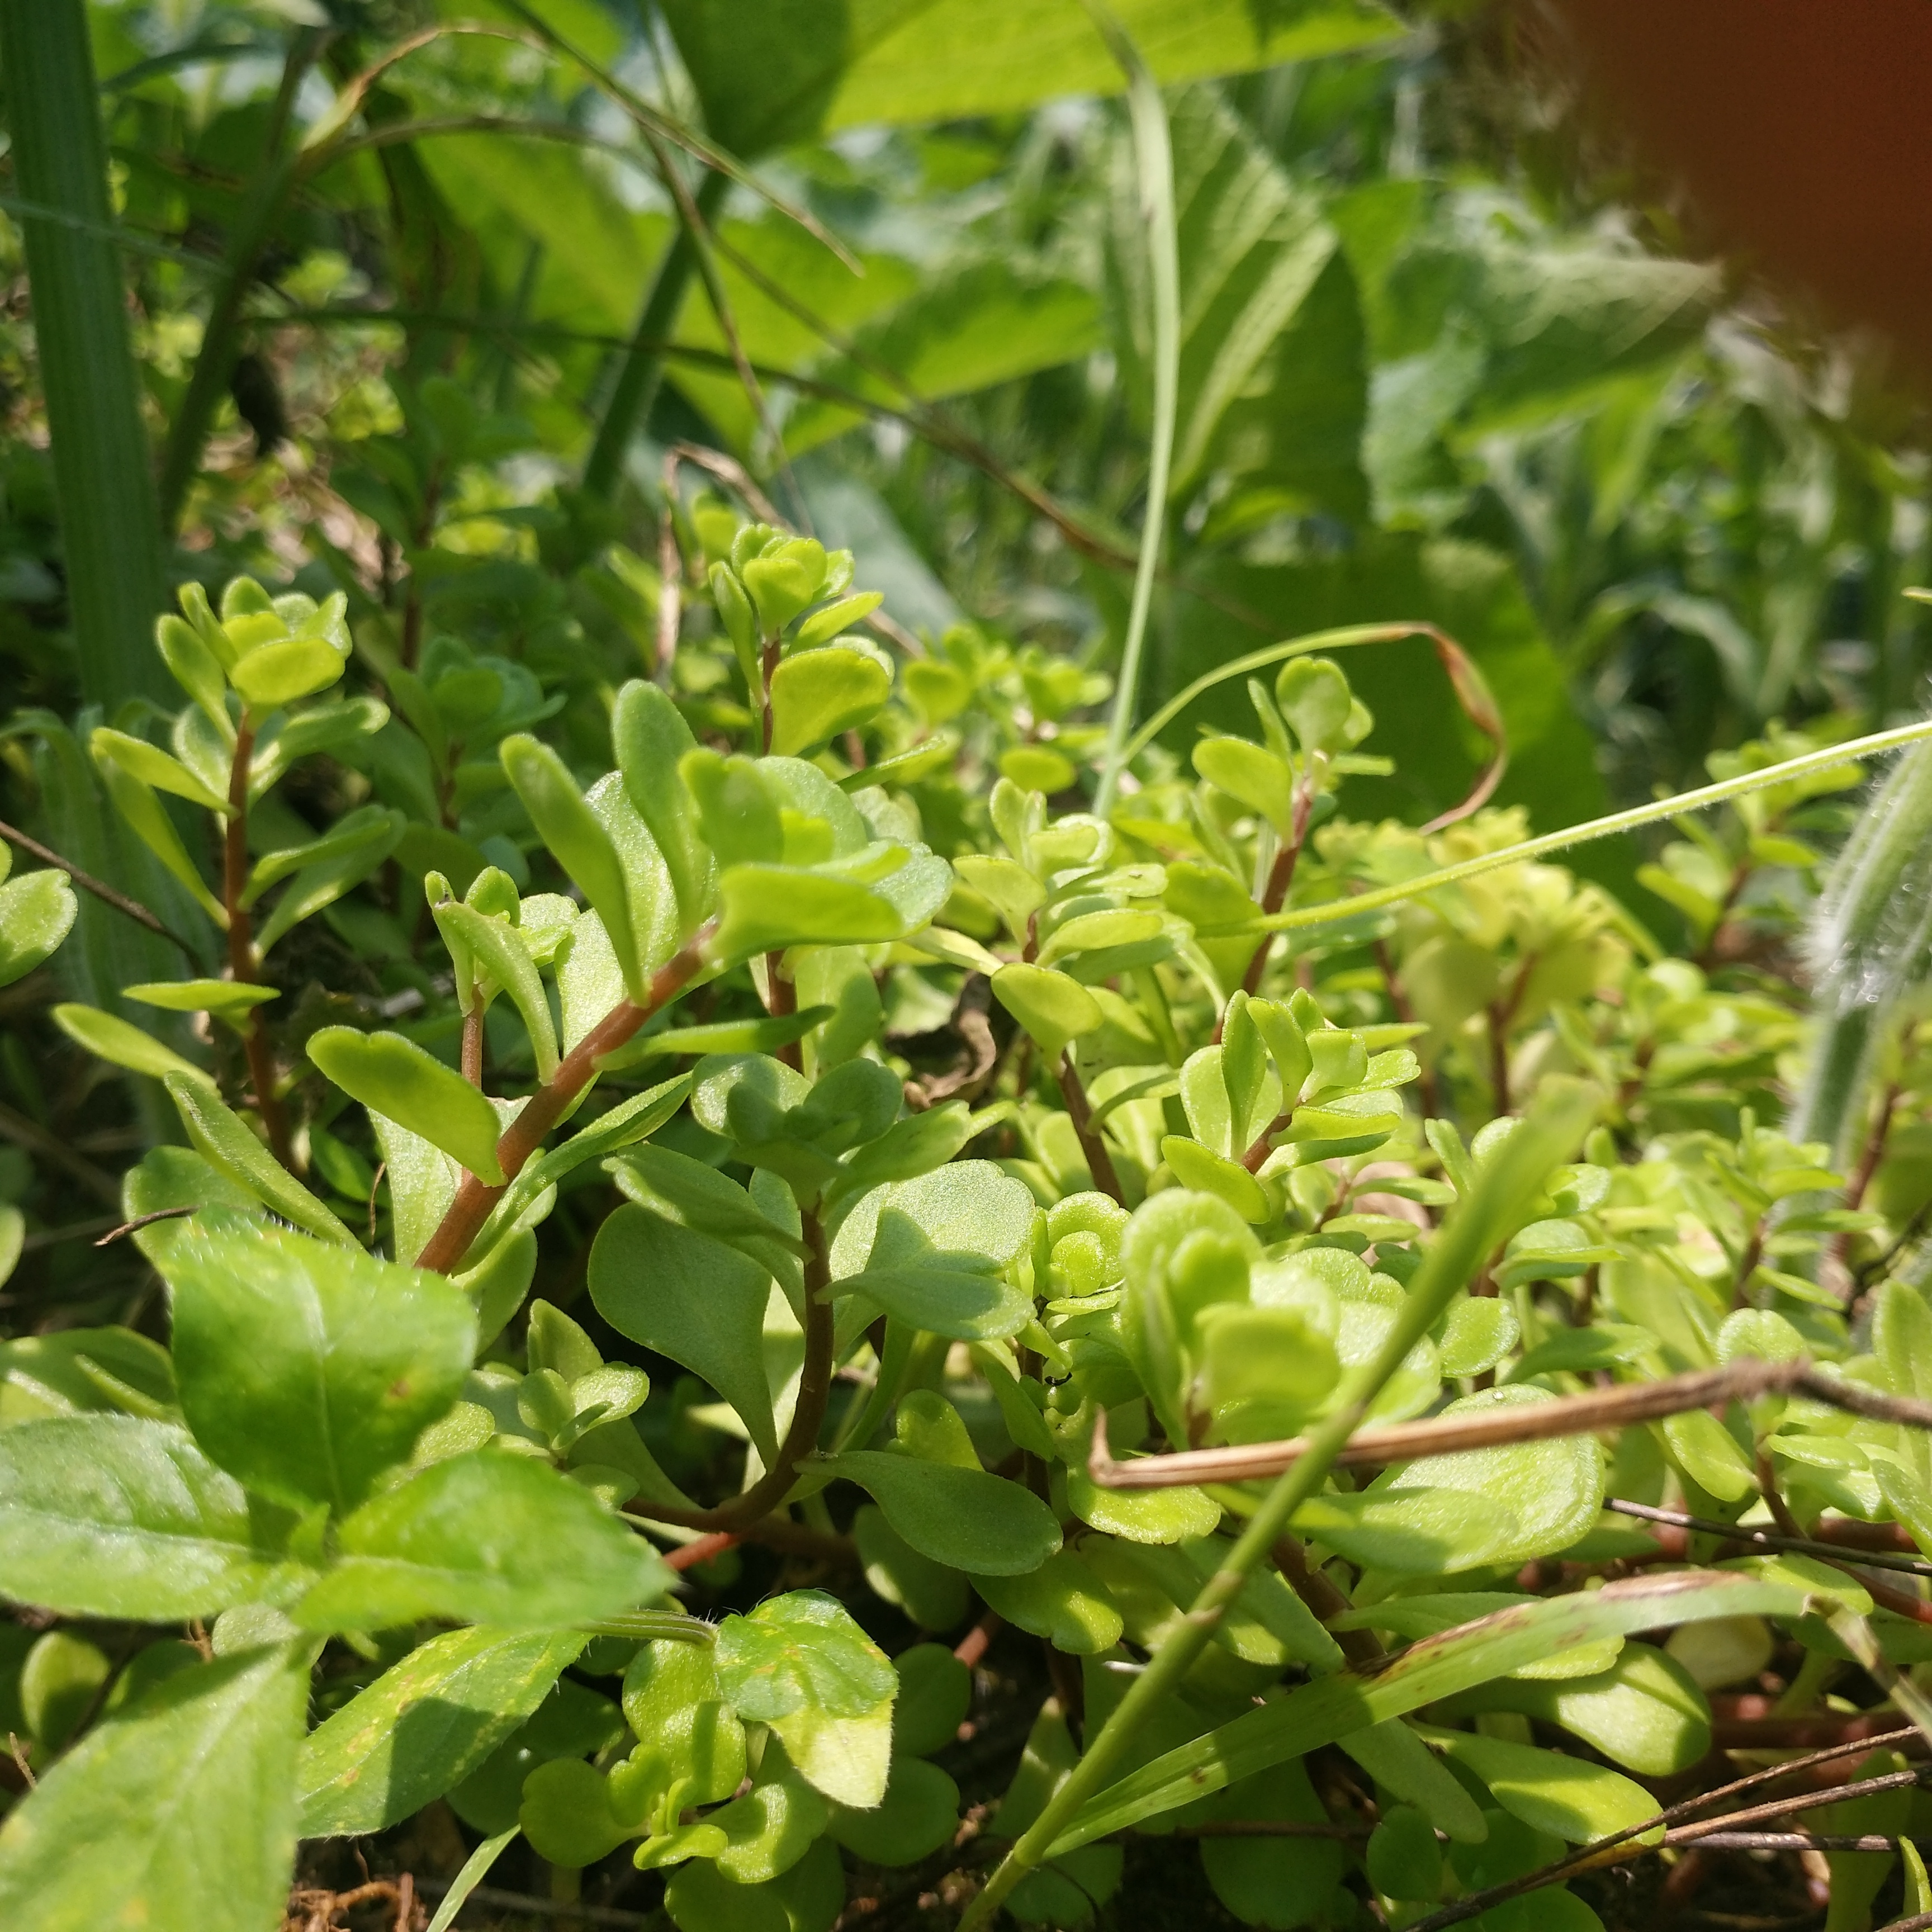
(177, 1817)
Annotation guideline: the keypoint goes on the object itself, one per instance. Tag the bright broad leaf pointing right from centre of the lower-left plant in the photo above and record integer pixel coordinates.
(482, 1539)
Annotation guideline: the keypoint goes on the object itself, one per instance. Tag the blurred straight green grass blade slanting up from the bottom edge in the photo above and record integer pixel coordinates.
(1545, 1139)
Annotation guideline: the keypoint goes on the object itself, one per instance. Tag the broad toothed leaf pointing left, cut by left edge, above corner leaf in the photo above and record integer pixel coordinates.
(123, 1518)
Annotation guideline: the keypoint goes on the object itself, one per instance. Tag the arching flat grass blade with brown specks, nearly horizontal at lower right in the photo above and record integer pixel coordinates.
(1436, 1668)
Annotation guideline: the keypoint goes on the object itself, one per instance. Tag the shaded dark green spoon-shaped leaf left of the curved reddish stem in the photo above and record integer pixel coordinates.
(695, 1301)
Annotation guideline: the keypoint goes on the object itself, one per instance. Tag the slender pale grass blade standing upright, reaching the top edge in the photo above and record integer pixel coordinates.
(1156, 165)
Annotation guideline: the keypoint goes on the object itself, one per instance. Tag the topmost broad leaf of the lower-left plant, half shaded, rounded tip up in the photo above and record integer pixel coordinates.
(306, 1369)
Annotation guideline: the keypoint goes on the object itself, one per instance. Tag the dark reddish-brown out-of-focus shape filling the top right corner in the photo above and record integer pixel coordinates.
(1798, 130)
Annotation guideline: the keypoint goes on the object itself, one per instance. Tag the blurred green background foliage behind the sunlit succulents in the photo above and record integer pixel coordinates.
(1444, 358)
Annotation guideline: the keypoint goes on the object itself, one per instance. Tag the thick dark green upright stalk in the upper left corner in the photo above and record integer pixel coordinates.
(103, 484)
